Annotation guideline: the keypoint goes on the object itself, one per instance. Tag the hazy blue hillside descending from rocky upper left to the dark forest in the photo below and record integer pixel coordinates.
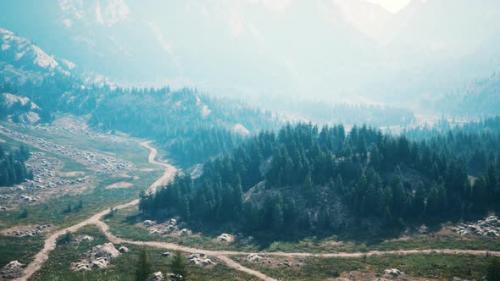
(190, 125)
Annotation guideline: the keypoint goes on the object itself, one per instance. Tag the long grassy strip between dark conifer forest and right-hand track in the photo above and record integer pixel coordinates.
(124, 224)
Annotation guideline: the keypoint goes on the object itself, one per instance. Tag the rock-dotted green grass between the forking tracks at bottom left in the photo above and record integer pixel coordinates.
(123, 267)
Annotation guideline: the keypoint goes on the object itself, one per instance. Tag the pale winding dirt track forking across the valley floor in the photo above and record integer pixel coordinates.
(224, 256)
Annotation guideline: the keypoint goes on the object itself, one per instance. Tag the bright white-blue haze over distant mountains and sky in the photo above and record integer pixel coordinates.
(397, 52)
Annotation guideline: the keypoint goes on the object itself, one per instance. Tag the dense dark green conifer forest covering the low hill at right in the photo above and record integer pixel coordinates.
(309, 180)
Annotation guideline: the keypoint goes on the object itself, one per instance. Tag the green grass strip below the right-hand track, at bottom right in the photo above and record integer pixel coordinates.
(425, 266)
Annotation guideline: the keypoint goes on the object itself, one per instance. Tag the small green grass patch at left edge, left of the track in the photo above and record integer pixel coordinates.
(19, 248)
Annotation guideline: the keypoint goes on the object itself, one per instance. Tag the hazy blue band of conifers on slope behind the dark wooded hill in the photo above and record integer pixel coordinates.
(191, 126)
